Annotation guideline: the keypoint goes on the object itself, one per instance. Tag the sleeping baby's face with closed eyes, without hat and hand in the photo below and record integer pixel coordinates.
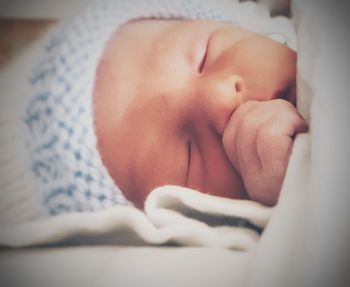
(164, 92)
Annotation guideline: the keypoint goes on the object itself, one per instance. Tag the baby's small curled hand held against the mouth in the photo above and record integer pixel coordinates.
(258, 140)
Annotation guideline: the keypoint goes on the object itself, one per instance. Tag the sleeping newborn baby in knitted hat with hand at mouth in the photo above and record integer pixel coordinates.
(132, 96)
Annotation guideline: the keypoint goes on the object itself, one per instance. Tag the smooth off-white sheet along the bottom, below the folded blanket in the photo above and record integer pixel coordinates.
(123, 266)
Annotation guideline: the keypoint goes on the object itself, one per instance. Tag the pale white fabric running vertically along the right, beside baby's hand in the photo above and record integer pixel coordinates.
(306, 242)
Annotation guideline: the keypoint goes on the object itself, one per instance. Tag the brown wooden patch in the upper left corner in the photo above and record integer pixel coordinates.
(16, 35)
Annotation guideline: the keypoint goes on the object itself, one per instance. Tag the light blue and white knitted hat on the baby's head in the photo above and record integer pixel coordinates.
(66, 166)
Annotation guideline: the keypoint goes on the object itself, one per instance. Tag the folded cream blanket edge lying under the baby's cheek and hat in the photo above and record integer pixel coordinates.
(172, 215)
